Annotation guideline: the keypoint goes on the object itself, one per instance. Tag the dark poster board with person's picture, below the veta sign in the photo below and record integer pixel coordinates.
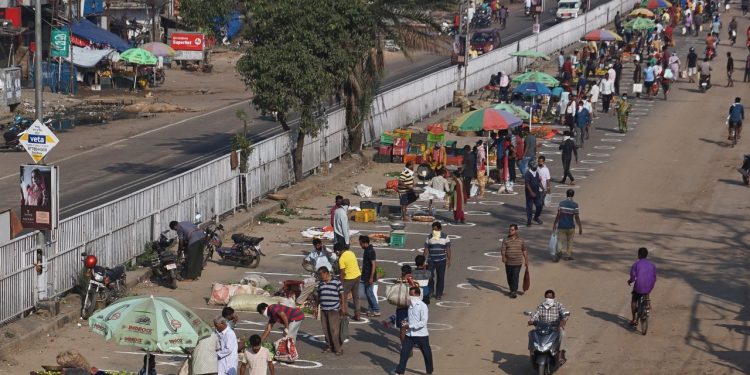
(39, 196)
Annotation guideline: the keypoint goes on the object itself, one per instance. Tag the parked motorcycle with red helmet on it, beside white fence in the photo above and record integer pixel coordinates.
(106, 285)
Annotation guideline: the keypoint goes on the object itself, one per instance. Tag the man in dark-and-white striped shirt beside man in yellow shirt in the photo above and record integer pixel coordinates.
(332, 308)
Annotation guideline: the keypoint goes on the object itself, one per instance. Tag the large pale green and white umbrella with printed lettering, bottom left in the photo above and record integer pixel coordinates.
(154, 324)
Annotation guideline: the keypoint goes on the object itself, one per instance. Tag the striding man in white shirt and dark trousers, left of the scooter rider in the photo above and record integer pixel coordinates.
(416, 333)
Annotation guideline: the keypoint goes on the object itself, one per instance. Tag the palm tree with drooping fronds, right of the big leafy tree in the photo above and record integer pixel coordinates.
(410, 26)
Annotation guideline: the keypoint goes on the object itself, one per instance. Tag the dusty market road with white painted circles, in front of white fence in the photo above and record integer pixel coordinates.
(635, 190)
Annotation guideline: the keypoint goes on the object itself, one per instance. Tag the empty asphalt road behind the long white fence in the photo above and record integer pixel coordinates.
(96, 176)
